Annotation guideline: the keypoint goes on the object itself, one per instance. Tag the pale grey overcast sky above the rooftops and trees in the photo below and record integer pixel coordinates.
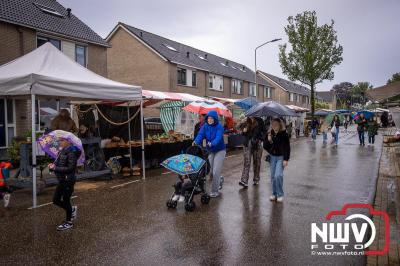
(368, 30)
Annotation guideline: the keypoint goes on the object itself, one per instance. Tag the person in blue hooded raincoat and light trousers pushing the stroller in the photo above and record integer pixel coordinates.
(213, 132)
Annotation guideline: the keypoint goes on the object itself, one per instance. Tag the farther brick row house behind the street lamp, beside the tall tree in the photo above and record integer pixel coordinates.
(290, 93)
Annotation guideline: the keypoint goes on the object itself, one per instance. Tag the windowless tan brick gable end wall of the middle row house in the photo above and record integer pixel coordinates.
(129, 61)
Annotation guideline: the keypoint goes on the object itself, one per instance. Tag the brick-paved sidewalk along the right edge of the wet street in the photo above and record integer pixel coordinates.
(387, 199)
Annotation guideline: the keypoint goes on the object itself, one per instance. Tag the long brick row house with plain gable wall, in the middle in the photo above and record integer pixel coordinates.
(157, 63)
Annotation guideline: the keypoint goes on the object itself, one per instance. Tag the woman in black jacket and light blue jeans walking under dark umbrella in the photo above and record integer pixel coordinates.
(277, 144)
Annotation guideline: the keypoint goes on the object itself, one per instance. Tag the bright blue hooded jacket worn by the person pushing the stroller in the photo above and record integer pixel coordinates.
(212, 133)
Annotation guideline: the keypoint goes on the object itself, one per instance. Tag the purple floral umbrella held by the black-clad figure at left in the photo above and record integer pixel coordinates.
(50, 143)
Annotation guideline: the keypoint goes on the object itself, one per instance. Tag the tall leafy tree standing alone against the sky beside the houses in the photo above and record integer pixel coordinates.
(314, 51)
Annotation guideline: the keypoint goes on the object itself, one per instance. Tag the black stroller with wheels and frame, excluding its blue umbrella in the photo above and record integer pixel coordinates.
(195, 184)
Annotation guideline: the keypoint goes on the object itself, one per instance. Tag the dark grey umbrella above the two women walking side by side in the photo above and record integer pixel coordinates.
(270, 108)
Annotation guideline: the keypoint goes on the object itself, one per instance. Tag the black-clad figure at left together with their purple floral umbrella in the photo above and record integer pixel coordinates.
(67, 150)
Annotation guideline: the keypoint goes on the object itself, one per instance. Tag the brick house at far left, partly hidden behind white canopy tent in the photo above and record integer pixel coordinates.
(27, 24)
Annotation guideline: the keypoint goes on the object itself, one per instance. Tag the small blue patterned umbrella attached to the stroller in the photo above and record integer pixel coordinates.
(184, 164)
